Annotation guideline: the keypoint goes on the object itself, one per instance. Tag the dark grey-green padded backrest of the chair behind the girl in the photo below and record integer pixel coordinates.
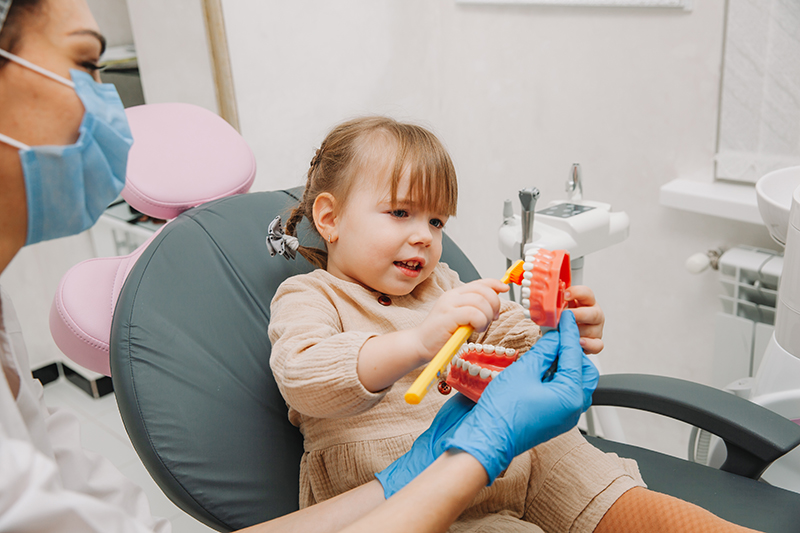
(190, 361)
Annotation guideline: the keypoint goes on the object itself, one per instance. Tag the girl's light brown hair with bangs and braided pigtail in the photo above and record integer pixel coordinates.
(369, 143)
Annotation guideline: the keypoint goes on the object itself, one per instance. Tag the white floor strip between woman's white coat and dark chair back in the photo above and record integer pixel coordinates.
(102, 431)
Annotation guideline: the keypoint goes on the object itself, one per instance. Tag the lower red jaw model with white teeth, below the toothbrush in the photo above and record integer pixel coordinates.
(475, 365)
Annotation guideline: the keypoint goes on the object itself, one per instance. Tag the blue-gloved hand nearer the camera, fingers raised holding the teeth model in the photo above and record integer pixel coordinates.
(517, 410)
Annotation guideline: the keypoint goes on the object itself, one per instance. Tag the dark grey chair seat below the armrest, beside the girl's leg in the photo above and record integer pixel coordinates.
(740, 500)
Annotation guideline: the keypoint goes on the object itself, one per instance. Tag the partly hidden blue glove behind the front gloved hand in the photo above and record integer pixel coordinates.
(426, 448)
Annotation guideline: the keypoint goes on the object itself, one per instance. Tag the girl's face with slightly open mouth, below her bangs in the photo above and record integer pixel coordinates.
(390, 249)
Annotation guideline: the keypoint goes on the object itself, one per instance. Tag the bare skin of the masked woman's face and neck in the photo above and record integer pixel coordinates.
(59, 36)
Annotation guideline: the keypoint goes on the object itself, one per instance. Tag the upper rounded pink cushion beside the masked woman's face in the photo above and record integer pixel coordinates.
(183, 155)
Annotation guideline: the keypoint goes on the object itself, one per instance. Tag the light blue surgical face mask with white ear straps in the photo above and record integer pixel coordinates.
(69, 187)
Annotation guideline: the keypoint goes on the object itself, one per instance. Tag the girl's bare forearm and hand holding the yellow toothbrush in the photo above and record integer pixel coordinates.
(386, 358)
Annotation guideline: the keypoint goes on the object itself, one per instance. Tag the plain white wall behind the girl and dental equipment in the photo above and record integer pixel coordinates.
(518, 94)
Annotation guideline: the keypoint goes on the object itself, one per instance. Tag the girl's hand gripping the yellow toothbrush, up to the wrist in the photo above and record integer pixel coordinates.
(475, 304)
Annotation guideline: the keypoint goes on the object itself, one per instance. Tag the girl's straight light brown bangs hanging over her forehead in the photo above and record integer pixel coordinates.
(432, 177)
